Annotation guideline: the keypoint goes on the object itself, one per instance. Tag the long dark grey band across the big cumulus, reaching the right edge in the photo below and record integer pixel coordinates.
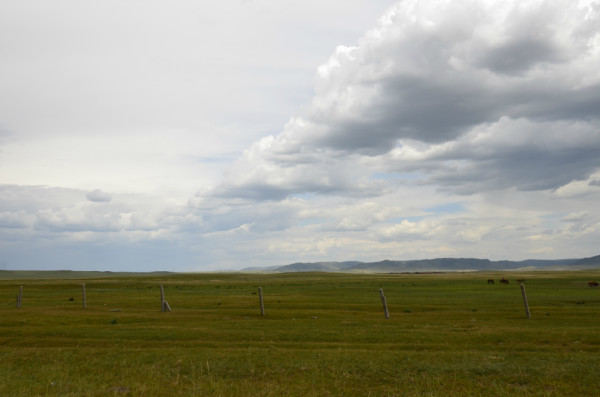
(433, 111)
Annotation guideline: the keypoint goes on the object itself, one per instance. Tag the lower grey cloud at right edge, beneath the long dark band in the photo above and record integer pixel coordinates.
(512, 154)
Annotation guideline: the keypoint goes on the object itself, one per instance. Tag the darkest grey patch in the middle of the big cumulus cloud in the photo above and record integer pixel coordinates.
(414, 108)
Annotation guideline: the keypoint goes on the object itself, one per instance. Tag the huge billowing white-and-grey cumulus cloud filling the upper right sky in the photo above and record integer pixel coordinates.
(470, 94)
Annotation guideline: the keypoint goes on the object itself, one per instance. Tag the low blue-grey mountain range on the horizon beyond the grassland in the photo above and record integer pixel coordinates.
(431, 265)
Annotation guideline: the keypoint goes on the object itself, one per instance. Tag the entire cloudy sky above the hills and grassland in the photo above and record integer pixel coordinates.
(205, 136)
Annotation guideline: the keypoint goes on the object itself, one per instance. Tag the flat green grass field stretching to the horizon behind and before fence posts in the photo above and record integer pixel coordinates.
(322, 335)
